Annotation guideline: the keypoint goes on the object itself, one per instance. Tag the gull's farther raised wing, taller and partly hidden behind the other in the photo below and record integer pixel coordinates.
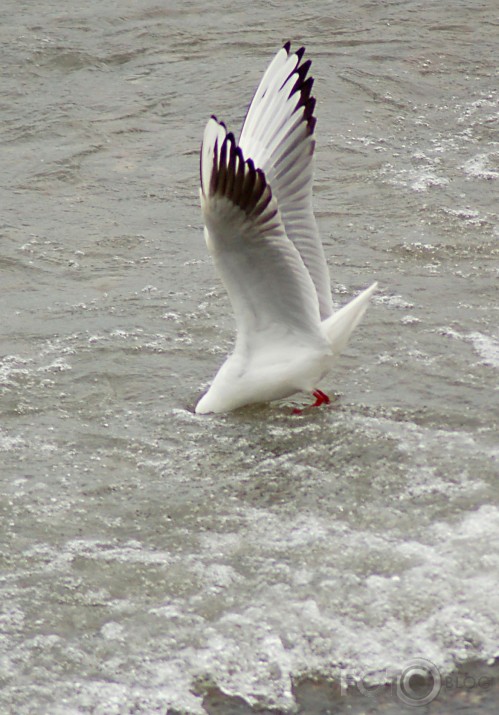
(278, 134)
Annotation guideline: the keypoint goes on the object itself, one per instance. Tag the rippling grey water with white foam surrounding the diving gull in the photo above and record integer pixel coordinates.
(148, 554)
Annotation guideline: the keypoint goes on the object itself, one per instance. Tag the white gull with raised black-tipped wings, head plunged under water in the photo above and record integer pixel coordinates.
(260, 229)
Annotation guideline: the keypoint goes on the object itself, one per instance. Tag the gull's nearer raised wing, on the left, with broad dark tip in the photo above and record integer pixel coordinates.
(270, 289)
